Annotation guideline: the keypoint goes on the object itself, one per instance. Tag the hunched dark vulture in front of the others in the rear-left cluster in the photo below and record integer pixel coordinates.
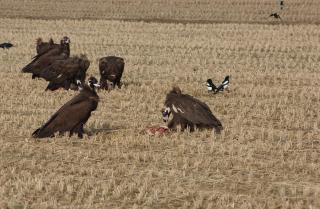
(66, 73)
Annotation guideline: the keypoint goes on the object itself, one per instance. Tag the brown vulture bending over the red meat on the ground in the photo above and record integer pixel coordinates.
(188, 112)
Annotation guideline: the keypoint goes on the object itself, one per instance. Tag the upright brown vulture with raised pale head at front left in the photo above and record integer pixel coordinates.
(72, 116)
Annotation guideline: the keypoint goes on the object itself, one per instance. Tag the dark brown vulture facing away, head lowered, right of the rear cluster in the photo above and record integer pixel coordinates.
(111, 69)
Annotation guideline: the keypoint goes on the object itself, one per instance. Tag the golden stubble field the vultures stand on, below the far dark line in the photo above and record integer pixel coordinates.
(266, 157)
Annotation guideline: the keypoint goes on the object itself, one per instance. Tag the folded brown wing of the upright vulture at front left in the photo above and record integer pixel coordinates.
(66, 118)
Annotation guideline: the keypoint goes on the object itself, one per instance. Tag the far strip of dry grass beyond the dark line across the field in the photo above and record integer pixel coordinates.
(252, 11)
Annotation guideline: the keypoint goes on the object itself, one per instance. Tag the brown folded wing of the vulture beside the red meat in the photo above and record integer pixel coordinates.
(193, 110)
